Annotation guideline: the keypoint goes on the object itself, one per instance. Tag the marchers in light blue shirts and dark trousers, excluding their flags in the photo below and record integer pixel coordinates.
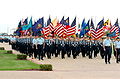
(38, 47)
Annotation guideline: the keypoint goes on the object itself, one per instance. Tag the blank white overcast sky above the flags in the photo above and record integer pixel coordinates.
(12, 11)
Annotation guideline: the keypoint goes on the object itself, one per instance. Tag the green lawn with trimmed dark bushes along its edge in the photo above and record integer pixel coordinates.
(9, 62)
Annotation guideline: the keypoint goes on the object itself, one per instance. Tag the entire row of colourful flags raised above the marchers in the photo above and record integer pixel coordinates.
(63, 28)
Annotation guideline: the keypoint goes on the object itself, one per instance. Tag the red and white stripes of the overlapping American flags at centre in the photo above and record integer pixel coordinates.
(59, 29)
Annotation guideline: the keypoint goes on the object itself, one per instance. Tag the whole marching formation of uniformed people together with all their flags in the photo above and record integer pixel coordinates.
(60, 39)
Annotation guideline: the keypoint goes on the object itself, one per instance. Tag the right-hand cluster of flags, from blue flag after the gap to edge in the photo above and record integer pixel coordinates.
(102, 29)
